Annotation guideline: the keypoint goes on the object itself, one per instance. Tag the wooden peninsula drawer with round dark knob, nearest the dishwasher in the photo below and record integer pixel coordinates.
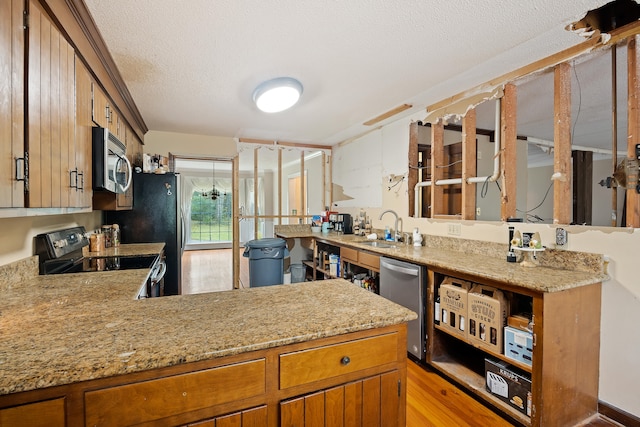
(307, 366)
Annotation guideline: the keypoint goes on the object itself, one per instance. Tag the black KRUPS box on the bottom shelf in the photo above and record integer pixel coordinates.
(509, 384)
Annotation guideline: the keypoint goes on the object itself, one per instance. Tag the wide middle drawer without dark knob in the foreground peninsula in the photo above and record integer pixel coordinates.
(156, 399)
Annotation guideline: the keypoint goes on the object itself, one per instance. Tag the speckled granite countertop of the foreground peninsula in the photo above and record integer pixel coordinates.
(74, 327)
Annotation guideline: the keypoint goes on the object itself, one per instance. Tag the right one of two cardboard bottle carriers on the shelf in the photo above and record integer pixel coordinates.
(487, 317)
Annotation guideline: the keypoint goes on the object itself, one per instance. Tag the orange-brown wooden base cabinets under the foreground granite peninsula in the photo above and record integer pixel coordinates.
(254, 389)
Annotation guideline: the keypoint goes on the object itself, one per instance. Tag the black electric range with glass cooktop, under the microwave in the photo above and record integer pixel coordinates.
(62, 252)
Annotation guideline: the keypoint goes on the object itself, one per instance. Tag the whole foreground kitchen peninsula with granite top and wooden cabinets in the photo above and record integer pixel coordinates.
(78, 349)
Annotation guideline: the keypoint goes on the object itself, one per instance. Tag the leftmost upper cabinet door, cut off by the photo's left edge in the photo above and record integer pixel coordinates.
(12, 104)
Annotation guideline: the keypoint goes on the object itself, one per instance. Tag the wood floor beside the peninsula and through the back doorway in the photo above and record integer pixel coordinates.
(432, 401)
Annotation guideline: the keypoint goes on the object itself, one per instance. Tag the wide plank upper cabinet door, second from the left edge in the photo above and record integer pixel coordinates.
(51, 117)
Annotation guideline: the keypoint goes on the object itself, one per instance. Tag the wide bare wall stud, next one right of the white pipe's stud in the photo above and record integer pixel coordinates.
(508, 160)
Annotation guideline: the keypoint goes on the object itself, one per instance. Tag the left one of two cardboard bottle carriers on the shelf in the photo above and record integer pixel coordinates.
(453, 306)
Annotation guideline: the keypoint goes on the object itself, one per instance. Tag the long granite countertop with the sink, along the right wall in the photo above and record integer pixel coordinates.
(559, 270)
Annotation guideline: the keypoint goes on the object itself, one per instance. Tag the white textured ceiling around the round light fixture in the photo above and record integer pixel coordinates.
(192, 65)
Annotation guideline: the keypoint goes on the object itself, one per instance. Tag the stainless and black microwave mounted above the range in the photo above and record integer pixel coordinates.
(111, 168)
